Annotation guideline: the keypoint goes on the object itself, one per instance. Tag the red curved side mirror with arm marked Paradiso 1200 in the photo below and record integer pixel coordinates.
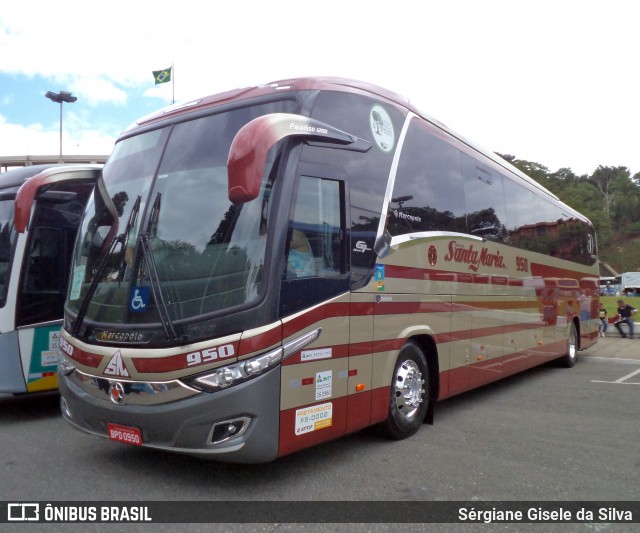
(248, 151)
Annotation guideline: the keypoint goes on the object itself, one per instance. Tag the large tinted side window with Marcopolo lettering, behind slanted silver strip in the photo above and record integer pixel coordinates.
(428, 194)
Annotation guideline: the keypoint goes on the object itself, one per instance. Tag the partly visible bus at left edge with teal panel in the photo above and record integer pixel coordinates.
(41, 208)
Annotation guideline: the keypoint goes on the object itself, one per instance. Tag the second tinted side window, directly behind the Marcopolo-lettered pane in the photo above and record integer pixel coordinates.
(484, 194)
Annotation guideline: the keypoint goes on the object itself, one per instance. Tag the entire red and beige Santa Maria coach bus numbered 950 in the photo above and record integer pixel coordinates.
(270, 268)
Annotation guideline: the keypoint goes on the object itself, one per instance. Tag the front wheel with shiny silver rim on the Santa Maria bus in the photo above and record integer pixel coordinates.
(408, 398)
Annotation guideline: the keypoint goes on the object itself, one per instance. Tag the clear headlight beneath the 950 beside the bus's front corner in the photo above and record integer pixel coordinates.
(228, 376)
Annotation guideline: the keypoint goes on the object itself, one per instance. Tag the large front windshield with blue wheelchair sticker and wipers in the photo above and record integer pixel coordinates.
(160, 240)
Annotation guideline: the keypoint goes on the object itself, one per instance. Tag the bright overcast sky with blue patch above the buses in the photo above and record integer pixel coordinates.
(551, 81)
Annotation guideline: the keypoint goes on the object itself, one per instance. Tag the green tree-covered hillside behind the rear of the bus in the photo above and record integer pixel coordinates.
(609, 197)
